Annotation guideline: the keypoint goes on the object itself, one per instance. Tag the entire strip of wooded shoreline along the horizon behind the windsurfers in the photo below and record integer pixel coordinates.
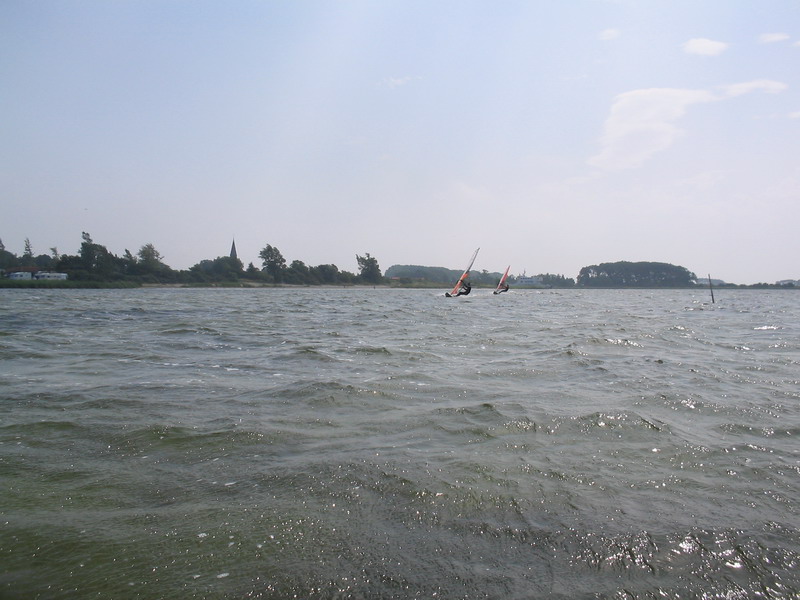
(94, 265)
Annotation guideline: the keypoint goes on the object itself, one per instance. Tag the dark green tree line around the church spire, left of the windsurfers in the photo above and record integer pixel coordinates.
(95, 263)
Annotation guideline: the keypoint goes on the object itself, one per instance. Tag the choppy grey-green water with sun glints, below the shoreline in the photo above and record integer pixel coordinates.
(340, 443)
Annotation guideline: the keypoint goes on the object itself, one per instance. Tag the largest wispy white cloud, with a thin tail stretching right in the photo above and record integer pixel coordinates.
(642, 122)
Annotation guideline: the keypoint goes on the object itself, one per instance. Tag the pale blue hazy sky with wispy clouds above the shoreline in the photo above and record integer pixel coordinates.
(551, 134)
